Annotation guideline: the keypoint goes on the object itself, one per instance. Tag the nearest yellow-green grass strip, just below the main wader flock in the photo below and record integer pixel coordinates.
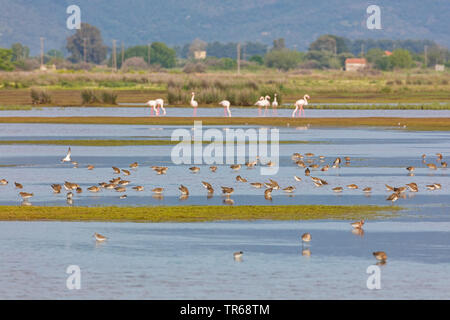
(196, 213)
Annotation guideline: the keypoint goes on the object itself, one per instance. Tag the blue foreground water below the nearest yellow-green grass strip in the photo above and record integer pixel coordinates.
(195, 261)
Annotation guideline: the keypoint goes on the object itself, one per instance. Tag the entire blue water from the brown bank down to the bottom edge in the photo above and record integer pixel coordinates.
(194, 261)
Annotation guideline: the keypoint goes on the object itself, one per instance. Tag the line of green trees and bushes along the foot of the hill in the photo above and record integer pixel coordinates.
(326, 52)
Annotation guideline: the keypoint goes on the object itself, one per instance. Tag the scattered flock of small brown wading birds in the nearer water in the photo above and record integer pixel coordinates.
(306, 161)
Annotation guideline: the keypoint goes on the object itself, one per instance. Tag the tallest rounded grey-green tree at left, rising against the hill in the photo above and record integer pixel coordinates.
(95, 49)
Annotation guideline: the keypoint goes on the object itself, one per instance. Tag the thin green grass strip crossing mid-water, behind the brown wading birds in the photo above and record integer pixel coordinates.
(119, 143)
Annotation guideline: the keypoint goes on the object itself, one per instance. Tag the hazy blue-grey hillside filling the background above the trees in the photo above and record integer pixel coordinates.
(181, 21)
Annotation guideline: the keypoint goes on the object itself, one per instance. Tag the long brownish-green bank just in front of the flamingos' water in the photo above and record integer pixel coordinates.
(418, 124)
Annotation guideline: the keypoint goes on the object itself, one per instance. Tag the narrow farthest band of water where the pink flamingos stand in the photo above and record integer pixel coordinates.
(216, 112)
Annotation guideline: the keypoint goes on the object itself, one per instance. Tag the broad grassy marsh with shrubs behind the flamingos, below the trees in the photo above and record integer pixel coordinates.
(64, 88)
